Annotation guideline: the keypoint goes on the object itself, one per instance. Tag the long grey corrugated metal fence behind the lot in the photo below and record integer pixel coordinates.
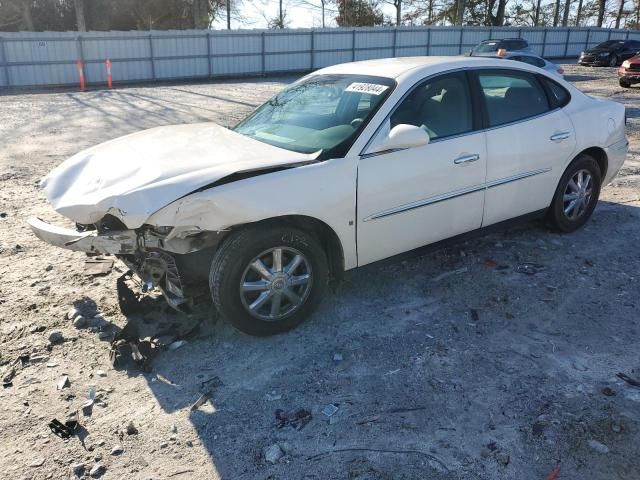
(49, 58)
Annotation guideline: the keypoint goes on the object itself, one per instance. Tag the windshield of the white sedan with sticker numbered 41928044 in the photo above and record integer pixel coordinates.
(323, 112)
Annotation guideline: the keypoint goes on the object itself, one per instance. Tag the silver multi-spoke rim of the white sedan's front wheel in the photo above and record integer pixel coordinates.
(275, 283)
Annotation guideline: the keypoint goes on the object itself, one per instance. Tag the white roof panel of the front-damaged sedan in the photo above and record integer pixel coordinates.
(396, 67)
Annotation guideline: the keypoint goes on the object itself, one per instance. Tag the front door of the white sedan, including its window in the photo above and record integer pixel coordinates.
(415, 196)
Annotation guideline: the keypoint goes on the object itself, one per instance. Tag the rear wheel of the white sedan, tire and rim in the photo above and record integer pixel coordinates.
(576, 195)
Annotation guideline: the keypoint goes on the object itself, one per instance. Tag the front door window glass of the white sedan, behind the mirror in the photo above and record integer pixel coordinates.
(441, 106)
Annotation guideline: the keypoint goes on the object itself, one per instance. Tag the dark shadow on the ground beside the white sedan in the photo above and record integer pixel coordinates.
(440, 365)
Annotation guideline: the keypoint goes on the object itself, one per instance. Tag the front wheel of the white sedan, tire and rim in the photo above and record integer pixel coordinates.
(267, 280)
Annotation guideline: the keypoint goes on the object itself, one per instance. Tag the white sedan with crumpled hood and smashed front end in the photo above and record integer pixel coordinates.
(349, 165)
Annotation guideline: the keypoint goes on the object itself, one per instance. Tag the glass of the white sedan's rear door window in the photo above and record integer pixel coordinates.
(511, 96)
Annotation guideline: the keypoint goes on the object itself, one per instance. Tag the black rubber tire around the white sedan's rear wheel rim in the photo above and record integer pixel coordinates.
(556, 214)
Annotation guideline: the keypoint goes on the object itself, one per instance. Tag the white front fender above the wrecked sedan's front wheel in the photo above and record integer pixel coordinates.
(325, 191)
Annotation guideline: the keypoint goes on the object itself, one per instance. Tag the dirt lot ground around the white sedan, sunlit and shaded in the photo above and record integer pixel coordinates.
(458, 363)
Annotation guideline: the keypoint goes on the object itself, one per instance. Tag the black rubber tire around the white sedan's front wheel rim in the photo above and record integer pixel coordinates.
(231, 265)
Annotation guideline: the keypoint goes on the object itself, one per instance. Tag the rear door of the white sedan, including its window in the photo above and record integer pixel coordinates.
(528, 140)
